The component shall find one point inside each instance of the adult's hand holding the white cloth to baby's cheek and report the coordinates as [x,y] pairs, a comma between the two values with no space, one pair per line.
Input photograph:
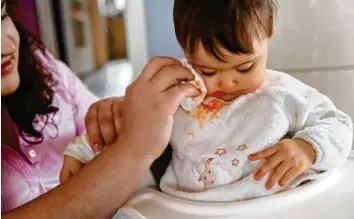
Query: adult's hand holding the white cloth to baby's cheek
[150,103]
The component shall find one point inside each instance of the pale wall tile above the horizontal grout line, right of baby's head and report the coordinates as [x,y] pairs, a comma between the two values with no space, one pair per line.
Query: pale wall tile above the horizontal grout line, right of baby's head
[313,33]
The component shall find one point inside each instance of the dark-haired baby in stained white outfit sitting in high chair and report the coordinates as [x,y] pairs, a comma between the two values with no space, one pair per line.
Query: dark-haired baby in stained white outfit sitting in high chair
[253,132]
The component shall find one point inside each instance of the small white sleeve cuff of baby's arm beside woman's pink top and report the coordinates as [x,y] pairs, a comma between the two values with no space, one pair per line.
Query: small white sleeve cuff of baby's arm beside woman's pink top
[80,149]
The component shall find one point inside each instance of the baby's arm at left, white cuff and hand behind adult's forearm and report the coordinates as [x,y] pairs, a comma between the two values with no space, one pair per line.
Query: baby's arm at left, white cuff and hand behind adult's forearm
[77,153]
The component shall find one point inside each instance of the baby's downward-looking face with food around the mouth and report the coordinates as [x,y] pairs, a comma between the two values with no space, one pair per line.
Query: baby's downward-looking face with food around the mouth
[240,74]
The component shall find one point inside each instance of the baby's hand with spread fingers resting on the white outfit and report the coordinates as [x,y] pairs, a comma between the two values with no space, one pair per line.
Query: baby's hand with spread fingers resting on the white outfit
[286,160]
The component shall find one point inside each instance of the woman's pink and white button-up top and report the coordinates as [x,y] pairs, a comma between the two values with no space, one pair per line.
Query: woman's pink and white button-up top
[29,175]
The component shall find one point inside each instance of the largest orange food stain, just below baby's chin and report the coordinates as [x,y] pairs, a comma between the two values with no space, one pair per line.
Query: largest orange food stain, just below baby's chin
[208,111]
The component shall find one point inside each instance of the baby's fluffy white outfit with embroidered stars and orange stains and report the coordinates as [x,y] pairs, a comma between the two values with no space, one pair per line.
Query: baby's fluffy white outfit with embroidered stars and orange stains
[212,139]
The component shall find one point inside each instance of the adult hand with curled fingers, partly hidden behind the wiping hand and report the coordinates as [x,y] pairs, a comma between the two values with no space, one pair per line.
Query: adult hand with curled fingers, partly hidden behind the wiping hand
[102,122]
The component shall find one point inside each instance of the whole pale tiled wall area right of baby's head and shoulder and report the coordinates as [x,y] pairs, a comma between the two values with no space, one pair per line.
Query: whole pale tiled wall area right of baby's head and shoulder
[314,42]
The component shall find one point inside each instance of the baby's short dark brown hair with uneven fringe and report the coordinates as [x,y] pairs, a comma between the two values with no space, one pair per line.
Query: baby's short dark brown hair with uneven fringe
[228,24]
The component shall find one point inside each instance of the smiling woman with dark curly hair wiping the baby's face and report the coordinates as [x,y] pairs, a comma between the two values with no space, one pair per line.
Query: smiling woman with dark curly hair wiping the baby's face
[43,108]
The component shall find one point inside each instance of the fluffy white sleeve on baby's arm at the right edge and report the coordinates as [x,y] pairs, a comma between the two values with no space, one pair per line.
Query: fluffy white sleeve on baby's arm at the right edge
[317,121]
